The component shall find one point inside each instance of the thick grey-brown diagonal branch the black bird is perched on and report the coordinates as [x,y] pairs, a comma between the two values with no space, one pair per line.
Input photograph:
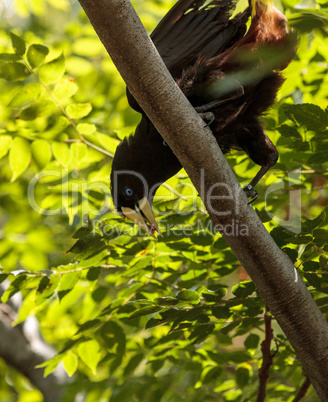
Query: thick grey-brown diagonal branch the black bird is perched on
[136,58]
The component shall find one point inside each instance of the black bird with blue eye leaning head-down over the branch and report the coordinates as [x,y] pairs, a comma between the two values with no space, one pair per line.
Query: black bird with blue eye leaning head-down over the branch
[228,75]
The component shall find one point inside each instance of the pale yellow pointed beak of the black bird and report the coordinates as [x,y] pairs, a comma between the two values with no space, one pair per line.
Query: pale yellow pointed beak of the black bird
[143,217]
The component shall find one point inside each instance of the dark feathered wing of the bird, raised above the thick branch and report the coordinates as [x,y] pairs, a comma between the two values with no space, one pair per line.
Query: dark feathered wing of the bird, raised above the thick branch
[191,29]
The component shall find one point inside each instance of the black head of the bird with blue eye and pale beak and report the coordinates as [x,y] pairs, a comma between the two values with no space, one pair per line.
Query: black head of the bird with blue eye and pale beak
[130,189]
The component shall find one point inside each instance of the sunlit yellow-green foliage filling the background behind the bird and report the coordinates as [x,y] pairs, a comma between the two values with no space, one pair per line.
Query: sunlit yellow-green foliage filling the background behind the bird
[133,318]
